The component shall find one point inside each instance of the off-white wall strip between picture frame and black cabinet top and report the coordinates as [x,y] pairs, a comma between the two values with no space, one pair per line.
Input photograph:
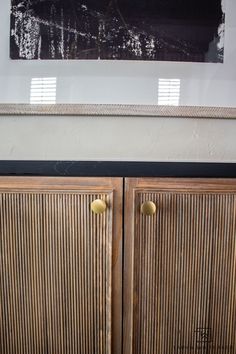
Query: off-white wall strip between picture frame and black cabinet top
[99,138]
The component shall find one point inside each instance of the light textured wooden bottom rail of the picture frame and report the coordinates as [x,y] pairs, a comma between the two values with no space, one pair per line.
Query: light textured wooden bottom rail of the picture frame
[117,110]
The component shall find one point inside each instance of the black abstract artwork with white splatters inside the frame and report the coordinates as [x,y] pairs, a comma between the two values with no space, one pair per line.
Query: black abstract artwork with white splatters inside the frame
[160,30]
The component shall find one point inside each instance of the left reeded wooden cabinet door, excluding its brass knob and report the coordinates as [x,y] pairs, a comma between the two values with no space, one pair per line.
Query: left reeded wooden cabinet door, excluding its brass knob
[60,266]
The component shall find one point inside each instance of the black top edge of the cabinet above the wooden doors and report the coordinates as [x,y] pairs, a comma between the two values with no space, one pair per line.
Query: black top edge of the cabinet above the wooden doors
[117,169]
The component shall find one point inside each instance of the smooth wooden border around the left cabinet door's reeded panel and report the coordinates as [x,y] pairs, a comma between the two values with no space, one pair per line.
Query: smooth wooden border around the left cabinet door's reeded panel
[87,185]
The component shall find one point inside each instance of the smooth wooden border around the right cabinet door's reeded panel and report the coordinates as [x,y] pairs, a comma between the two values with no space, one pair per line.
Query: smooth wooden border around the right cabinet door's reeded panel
[132,186]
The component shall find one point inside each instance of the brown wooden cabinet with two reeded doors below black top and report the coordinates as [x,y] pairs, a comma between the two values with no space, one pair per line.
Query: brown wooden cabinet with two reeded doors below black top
[62,271]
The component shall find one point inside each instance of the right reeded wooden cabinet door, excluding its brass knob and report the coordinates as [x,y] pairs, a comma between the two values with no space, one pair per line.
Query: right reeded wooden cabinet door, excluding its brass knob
[180,267]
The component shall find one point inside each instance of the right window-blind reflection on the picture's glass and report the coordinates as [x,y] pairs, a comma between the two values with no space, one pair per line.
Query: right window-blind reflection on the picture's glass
[168,92]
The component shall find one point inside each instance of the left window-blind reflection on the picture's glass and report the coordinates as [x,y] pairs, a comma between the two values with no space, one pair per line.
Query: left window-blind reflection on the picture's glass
[43,90]
